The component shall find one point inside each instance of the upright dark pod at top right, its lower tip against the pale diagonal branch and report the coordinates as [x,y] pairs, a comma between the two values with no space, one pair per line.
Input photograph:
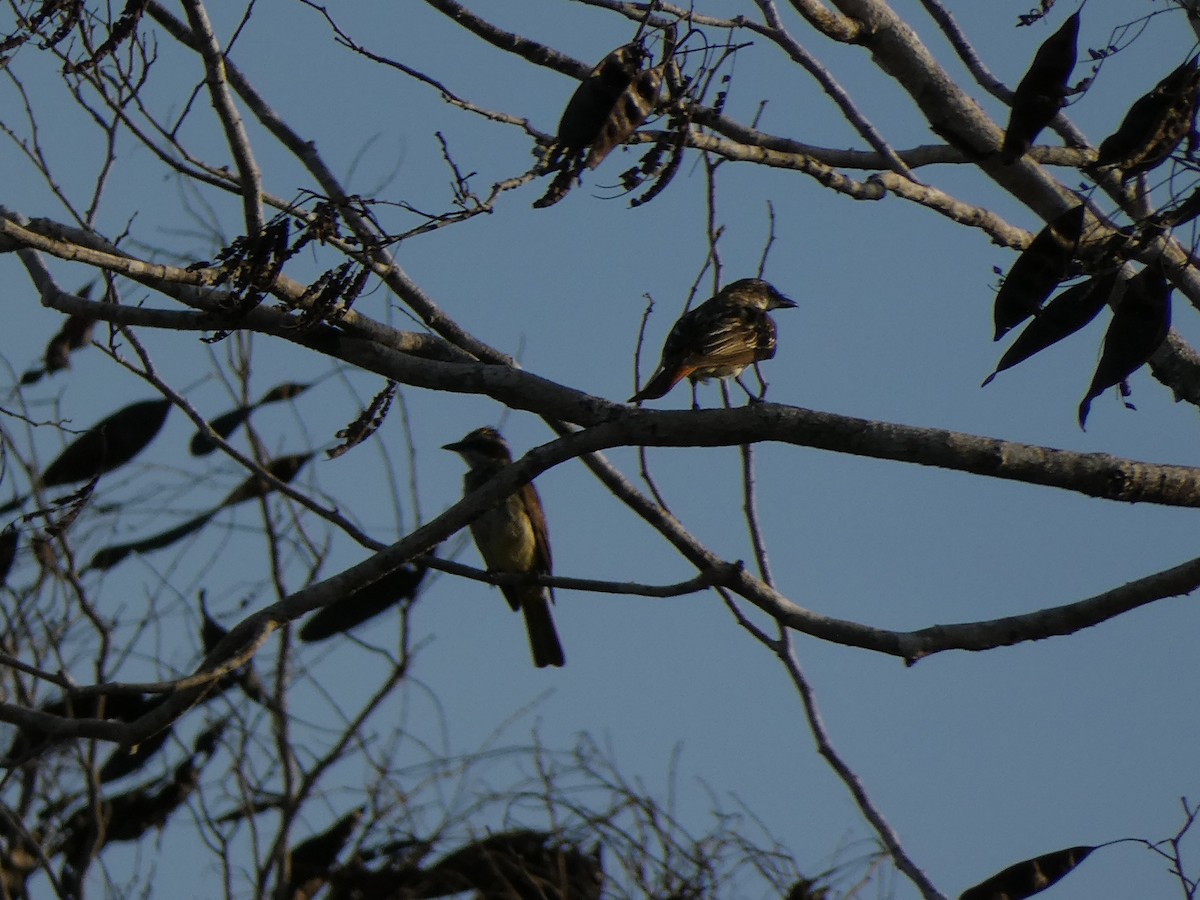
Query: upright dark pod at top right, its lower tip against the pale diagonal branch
[1043,92]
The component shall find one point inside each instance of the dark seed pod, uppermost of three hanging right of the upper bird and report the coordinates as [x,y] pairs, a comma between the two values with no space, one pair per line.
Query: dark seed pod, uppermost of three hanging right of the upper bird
[1039,271]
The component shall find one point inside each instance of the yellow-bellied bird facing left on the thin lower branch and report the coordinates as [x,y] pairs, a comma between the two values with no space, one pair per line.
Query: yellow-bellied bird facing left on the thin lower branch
[512,537]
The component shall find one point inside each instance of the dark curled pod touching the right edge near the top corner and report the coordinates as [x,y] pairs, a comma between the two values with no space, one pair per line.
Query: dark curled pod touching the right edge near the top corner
[1156,124]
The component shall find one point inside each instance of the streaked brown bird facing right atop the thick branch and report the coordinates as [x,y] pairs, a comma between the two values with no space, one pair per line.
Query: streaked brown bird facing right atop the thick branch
[719,339]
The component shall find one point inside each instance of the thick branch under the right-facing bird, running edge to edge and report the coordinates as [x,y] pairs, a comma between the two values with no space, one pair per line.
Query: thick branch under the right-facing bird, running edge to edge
[1094,475]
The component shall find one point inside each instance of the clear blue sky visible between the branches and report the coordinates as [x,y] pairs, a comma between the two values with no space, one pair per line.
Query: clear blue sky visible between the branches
[977,760]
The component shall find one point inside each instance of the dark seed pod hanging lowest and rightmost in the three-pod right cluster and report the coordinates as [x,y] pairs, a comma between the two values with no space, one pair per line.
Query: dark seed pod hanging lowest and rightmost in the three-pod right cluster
[1139,328]
